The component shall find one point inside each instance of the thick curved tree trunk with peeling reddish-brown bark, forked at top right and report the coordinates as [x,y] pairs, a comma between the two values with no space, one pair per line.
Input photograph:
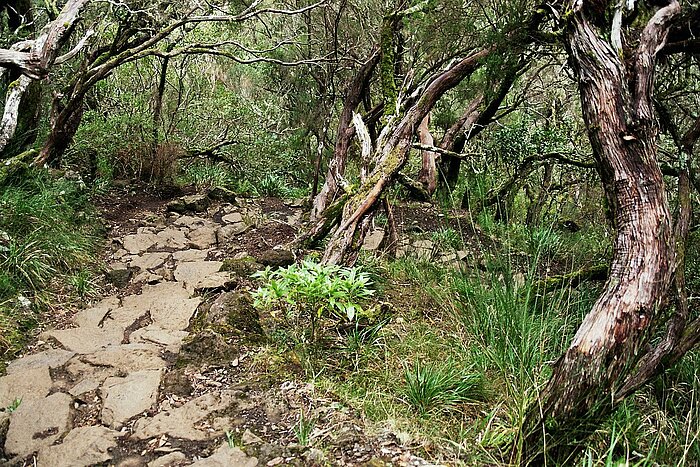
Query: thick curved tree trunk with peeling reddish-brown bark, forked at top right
[622,126]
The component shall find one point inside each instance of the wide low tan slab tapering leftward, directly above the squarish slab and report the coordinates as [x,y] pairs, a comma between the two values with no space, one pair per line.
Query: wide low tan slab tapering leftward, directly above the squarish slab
[127,357]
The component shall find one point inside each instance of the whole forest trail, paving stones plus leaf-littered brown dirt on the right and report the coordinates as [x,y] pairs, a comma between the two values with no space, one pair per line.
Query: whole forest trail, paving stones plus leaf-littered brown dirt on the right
[170,368]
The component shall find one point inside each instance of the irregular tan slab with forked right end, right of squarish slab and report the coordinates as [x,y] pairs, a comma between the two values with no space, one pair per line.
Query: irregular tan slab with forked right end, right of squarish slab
[180,422]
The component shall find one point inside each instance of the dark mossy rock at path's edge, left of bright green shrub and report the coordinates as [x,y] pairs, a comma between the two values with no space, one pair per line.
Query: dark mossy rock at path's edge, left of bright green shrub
[235,311]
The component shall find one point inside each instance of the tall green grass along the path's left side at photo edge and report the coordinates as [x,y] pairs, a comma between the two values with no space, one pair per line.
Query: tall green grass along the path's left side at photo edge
[47,238]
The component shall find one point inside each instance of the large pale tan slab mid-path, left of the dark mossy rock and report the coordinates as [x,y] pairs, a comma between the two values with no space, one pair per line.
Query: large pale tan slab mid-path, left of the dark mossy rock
[168,303]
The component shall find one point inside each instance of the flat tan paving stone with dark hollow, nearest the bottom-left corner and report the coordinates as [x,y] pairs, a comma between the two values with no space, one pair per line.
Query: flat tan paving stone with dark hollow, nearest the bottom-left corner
[38,423]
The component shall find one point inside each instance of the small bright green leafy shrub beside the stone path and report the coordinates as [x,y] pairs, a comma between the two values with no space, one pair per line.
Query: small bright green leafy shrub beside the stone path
[311,291]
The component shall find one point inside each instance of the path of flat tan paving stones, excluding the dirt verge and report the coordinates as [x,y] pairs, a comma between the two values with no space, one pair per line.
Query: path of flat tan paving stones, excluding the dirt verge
[112,361]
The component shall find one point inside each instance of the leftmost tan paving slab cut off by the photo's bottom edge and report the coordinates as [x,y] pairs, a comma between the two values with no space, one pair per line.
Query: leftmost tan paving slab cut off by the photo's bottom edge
[83,446]
